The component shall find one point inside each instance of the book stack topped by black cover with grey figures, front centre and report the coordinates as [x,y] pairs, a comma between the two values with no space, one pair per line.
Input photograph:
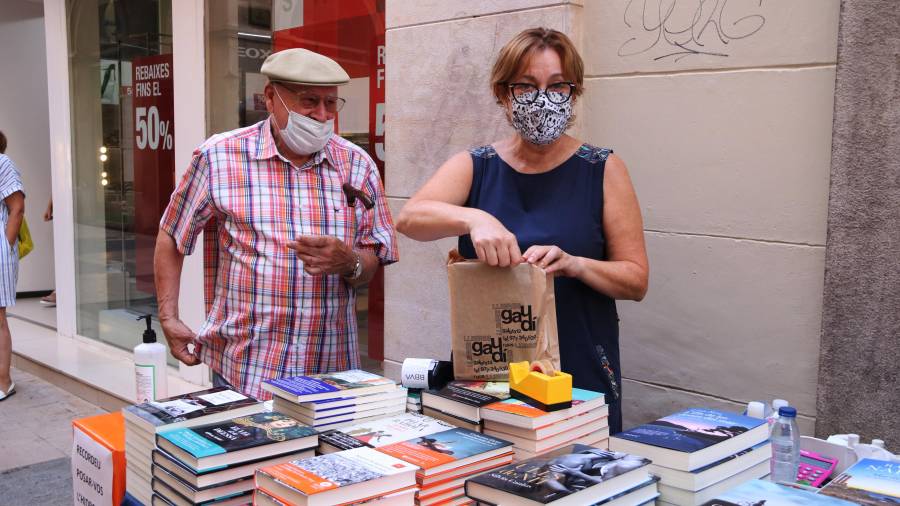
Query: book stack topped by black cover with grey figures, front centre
[572,476]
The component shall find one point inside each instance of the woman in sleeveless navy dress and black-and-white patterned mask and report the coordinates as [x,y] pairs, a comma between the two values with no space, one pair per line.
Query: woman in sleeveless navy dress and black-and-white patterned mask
[543,197]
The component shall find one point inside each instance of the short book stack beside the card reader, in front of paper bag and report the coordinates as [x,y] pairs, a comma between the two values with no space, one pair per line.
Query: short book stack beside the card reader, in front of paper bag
[460,402]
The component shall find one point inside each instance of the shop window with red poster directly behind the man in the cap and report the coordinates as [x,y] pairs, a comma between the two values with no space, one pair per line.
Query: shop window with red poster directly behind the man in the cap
[242,33]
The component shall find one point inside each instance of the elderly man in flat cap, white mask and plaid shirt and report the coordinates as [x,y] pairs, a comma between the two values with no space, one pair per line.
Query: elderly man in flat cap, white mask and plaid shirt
[295,220]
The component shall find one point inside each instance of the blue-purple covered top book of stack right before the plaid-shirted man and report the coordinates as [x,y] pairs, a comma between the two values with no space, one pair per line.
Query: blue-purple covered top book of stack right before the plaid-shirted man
[335,385]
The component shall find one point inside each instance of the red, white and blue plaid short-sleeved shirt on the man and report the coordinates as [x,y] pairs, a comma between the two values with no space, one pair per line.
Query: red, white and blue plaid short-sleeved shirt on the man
[266,317]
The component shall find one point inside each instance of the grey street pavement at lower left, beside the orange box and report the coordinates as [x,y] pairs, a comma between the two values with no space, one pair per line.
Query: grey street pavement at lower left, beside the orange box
[36,442]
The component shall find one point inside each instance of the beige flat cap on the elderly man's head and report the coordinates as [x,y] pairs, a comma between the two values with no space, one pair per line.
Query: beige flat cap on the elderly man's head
[303,66]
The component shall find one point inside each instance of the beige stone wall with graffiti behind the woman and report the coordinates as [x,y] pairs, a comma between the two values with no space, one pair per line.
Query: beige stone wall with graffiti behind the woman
[724,118]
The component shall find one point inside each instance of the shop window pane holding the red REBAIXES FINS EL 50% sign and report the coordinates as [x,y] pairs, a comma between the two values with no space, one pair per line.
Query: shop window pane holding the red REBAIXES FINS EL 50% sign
[123,159]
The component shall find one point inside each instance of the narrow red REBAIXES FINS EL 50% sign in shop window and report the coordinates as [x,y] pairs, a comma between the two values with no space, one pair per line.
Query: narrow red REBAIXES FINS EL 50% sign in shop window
[154,156]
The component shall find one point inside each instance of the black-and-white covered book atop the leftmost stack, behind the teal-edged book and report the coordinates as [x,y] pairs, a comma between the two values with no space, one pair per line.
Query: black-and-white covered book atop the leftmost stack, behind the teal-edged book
[205,406]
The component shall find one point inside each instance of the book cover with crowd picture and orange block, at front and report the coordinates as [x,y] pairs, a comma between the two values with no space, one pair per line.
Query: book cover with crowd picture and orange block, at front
[335,470]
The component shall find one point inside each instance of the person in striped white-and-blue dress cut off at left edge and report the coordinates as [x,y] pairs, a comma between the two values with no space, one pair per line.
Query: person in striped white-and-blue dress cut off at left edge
[12,209]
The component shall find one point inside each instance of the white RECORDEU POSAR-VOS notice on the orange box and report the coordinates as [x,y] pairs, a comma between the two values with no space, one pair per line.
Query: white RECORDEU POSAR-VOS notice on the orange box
[92,470]
